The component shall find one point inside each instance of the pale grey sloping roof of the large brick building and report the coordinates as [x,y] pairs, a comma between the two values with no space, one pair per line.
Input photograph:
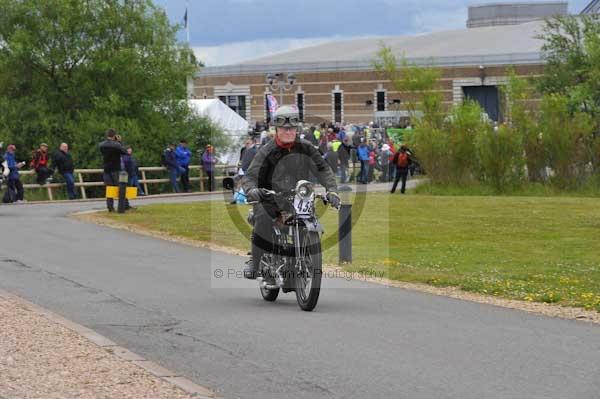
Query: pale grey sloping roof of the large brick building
[497,45]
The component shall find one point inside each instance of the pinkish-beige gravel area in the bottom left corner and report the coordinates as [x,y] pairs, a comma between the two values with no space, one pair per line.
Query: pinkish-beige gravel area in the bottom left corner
[42,359]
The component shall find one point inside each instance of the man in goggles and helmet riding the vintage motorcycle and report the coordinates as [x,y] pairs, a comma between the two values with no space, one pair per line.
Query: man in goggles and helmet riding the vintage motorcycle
[278,166]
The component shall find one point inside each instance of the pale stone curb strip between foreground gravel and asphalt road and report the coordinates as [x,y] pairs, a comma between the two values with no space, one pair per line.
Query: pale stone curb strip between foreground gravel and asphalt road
[171,377]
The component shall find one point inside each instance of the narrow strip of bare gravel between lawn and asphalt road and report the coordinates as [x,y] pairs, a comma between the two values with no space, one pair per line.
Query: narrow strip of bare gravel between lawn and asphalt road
[550,310]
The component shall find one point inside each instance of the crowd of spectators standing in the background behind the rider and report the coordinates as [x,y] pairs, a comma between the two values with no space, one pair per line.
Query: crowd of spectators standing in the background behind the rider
[360,154]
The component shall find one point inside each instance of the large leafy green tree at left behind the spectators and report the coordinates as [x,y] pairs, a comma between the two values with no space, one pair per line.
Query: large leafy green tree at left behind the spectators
[69,69]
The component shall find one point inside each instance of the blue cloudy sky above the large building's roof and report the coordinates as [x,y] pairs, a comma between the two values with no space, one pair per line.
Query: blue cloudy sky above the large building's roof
[229,31]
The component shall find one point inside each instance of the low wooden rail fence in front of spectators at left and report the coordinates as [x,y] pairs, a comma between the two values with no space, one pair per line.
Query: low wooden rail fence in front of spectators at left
[82,183]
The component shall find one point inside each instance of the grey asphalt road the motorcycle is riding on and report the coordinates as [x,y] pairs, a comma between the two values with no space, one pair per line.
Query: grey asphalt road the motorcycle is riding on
[363,341]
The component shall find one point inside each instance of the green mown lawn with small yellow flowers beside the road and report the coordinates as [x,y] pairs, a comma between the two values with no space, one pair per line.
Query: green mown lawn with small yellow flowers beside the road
[528,248]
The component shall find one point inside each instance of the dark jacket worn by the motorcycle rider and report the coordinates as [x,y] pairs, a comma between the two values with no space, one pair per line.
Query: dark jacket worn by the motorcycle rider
[279,169]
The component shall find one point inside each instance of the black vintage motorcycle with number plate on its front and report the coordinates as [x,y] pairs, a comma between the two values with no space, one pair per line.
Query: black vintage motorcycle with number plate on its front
[296,262]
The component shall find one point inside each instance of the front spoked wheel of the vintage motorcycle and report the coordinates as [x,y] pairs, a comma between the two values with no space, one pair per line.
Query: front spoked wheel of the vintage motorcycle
[308,279]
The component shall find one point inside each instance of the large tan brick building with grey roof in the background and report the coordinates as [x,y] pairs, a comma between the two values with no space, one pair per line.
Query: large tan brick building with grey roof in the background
[337,81]
